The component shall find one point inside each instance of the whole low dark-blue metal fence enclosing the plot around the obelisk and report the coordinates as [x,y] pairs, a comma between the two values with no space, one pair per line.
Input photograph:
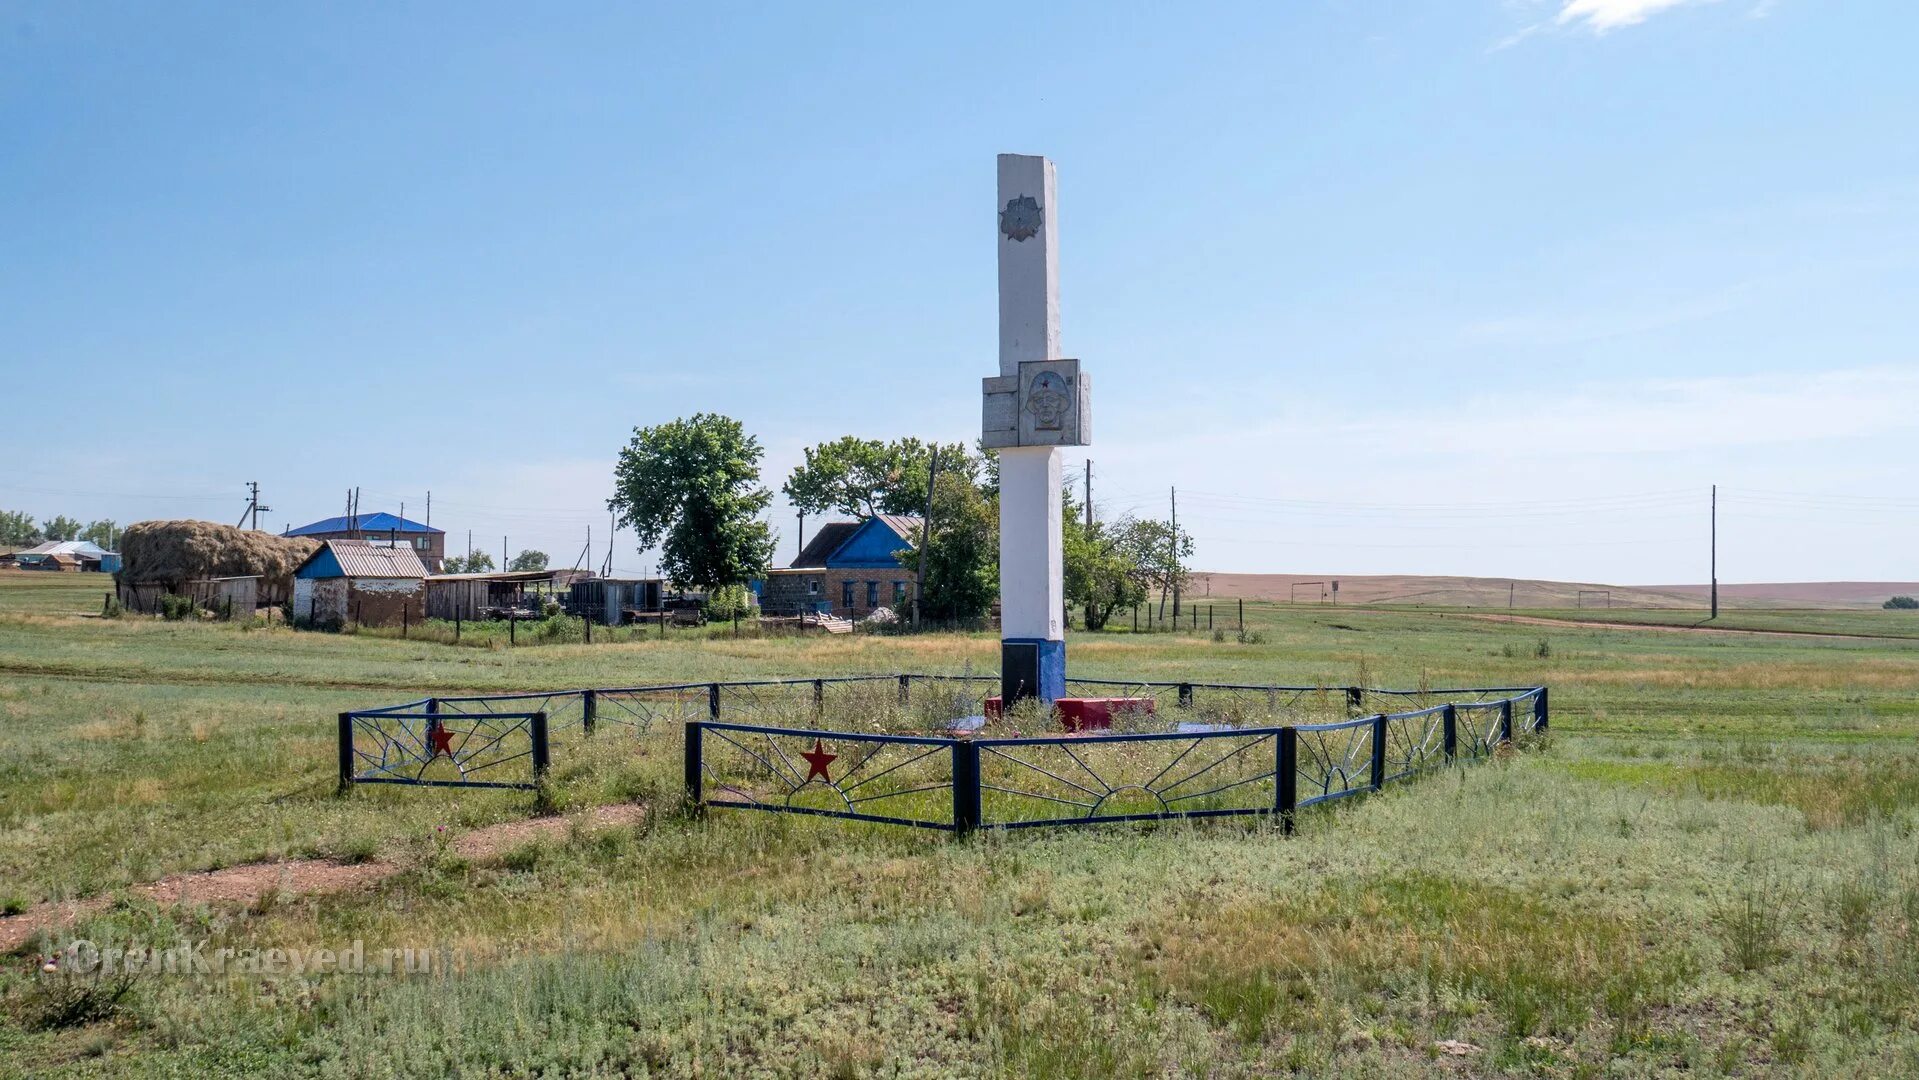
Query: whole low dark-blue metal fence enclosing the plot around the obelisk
[1177,749]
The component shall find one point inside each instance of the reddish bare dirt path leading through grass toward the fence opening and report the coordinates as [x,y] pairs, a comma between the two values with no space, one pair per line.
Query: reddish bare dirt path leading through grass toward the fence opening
[296,878]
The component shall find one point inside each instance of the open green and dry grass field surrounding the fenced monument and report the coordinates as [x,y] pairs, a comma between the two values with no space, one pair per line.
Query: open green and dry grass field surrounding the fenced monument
[1711,868]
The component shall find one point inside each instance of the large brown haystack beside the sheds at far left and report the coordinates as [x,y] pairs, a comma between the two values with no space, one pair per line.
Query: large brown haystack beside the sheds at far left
[176,553]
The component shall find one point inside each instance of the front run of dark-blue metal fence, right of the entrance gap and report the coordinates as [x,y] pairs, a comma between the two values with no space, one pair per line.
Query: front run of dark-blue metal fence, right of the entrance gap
[1200,770]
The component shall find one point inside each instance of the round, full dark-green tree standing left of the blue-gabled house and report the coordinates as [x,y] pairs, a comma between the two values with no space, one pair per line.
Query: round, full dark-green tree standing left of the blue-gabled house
[694,490]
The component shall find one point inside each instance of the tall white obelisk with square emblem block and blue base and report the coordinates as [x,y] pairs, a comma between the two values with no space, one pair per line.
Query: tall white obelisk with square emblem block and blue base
[1035,406]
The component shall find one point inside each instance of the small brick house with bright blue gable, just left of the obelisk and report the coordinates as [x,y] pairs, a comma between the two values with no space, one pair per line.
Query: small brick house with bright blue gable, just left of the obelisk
[847,569]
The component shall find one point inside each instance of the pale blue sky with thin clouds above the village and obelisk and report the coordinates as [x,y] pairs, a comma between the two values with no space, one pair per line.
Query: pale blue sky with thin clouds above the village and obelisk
[1436,287]
